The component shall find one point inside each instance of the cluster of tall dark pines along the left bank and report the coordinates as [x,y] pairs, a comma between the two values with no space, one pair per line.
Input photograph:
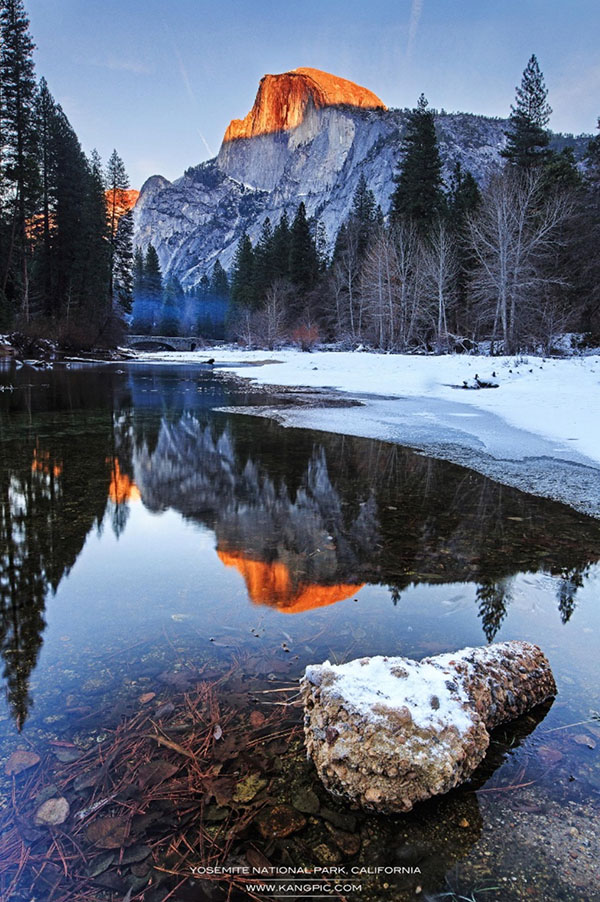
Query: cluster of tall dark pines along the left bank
[58,257]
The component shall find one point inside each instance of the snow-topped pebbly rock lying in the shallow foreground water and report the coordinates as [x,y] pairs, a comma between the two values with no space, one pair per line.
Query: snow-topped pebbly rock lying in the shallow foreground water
[388,732]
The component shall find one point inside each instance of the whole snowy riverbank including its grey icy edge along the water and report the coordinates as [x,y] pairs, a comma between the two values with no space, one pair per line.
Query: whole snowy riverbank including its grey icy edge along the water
[539,430]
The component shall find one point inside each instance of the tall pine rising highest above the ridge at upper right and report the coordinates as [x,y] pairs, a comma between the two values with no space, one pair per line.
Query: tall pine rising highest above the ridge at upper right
[527,136]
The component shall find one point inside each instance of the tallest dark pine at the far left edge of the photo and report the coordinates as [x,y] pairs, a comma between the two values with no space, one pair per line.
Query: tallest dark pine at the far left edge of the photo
[19,149]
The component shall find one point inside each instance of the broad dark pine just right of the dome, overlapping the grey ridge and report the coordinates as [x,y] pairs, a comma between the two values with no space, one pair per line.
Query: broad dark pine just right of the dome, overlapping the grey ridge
[419,195]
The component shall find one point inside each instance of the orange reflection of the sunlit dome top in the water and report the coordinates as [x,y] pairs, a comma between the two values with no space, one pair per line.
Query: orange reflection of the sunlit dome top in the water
[272,584]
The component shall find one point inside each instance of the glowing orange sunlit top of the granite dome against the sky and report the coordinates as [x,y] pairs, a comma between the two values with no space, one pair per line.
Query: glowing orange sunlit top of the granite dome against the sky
[282,100]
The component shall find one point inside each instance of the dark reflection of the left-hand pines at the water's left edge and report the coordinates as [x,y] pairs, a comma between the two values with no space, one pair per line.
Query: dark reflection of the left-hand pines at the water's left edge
[54,489]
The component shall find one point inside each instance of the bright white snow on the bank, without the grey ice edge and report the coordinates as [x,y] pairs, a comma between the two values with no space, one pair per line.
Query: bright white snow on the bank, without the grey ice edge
[555,398]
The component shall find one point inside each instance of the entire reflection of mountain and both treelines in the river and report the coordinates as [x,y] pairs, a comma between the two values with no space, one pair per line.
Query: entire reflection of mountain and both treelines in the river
[306,518]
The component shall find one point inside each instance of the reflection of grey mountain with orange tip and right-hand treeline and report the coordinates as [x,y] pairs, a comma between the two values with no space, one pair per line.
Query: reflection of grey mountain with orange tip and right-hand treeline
[383,515]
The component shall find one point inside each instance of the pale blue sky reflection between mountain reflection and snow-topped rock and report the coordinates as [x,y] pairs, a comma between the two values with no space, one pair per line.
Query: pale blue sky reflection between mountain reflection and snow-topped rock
[164,575]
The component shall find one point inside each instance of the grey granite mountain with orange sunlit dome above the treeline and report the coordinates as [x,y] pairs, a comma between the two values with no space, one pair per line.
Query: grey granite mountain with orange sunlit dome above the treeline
[308,137]
